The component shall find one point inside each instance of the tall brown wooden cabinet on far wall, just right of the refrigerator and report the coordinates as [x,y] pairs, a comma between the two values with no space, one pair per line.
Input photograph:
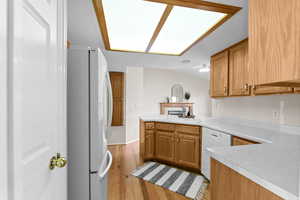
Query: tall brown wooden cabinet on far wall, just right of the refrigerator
[117,84]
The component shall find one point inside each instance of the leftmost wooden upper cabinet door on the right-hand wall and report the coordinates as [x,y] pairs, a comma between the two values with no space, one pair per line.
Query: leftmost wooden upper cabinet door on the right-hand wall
[219,75]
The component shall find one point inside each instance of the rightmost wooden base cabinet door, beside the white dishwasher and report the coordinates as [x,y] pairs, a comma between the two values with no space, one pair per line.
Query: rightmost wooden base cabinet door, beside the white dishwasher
[187,151]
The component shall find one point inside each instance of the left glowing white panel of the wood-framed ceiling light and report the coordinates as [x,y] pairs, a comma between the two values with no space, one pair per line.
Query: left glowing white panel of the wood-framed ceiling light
[131,23]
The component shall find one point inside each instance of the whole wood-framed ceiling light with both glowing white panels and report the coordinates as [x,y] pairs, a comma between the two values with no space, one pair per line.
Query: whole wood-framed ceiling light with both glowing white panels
[158,26]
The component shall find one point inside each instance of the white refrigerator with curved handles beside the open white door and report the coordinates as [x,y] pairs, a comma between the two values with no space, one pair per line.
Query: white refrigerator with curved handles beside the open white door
[89,119]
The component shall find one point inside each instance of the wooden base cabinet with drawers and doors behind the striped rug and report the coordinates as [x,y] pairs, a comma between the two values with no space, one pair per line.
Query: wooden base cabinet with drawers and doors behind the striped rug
[173,143]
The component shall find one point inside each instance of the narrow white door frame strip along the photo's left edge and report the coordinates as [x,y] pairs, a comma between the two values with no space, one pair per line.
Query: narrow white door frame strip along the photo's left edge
[3,99]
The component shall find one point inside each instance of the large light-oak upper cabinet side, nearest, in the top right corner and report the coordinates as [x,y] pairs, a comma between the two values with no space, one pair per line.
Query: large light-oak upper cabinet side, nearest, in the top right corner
[274,38]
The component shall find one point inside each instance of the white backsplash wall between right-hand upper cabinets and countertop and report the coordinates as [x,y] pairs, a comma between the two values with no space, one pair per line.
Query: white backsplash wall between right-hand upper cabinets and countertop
[281,109]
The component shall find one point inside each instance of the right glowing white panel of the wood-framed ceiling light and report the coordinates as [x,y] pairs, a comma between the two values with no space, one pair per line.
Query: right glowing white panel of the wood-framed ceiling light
[183,27]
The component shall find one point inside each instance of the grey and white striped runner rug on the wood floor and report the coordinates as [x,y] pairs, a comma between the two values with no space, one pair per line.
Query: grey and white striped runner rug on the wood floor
[182,182]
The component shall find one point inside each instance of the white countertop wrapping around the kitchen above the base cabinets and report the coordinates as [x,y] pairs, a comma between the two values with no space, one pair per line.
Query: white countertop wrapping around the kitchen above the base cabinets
[274,164]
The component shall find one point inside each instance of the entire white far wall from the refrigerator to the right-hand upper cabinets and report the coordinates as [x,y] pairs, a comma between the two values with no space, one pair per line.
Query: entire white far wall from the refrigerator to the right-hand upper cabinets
[146,88]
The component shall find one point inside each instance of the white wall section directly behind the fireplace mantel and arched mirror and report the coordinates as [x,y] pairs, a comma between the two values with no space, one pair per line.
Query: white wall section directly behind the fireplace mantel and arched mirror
[158,84]
